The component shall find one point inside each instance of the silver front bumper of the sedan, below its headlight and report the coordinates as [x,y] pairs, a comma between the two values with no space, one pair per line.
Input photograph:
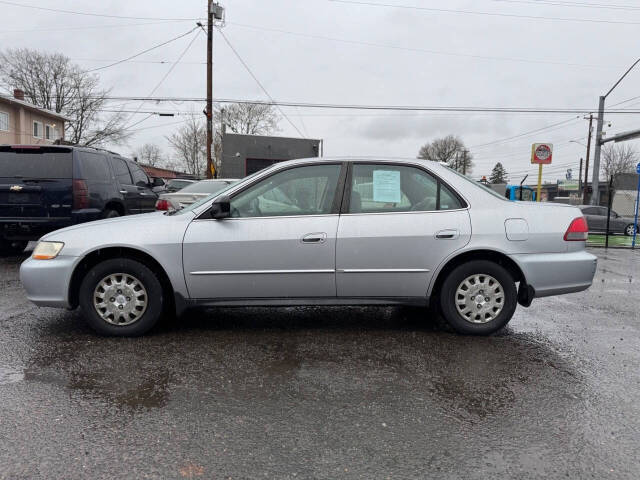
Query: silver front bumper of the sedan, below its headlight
[47,281]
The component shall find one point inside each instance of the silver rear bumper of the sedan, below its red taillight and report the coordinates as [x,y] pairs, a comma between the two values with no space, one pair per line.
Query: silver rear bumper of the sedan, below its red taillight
[557,273]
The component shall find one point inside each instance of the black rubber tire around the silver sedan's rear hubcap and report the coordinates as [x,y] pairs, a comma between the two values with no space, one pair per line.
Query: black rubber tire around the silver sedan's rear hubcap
[447,300]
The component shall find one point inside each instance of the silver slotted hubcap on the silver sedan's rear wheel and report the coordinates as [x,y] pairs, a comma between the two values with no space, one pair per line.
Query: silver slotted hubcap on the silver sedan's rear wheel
[479,298]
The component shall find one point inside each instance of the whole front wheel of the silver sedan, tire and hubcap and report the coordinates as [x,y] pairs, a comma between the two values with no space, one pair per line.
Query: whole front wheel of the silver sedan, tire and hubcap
[121,297]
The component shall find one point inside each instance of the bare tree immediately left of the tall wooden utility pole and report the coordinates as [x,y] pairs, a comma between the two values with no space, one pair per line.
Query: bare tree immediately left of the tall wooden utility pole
[190,145]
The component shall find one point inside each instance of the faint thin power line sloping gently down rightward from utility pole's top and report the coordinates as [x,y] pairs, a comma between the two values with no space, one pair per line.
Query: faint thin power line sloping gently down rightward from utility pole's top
[416,49]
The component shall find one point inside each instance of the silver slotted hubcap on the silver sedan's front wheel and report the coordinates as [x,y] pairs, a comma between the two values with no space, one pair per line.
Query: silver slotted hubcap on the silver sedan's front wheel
[120,299]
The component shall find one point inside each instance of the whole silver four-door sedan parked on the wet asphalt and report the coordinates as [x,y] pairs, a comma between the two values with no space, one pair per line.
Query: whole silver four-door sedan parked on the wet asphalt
[414,233]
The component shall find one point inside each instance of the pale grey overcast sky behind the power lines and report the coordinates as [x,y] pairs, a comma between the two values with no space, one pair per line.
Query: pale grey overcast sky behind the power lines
[323,51]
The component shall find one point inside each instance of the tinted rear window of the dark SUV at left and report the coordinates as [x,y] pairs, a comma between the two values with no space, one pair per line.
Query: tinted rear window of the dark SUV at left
[36,163]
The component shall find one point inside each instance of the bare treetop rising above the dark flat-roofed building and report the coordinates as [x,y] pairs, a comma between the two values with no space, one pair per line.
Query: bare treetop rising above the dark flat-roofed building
[248,118]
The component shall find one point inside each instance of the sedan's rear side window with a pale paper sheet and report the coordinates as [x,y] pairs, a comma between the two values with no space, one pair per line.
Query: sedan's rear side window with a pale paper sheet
[391,188]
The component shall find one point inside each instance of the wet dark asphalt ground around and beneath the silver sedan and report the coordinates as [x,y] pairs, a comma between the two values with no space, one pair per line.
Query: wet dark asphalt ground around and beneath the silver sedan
[329,393]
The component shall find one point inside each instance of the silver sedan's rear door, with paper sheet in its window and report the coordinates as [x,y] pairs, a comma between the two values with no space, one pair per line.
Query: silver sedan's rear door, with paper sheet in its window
[397,226]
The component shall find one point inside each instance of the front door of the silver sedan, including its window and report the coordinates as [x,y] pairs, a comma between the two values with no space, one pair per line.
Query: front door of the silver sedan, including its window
[279,242]
